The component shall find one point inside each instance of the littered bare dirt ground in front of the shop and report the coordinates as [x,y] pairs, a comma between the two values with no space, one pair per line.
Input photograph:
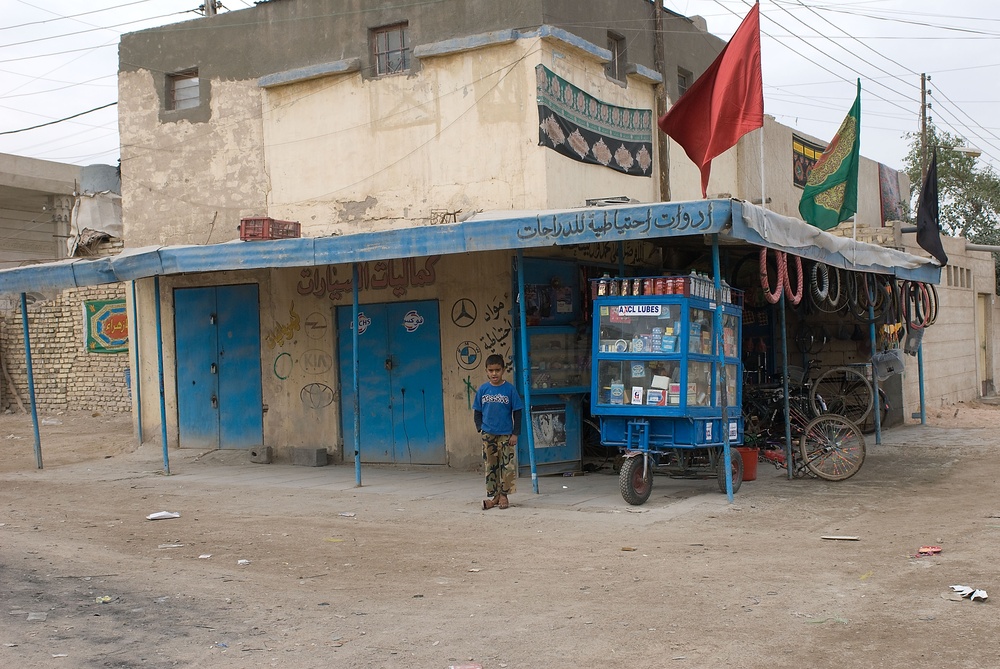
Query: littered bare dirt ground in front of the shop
[414,580]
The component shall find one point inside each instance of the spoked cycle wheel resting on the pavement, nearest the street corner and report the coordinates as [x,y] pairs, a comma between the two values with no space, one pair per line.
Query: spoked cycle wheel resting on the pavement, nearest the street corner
[832,448]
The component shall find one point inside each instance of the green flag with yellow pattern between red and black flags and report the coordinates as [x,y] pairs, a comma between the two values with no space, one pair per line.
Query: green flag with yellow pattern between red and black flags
[831,192]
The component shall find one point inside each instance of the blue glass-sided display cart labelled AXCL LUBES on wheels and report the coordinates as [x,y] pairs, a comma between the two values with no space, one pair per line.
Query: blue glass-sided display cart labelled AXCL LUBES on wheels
[660,382]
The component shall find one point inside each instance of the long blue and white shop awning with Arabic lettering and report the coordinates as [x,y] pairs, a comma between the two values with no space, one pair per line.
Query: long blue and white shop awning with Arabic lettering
[488,231]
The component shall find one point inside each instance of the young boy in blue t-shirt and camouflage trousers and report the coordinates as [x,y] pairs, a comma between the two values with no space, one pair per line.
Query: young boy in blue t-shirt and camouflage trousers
[498,419]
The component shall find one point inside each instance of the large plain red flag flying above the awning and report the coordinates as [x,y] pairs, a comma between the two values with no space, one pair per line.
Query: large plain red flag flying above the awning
[725,103]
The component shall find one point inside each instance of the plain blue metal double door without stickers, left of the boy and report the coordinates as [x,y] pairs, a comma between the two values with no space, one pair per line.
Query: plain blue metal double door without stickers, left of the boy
[219,397]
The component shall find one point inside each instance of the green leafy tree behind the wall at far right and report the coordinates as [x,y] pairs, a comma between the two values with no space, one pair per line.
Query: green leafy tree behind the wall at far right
[968,190]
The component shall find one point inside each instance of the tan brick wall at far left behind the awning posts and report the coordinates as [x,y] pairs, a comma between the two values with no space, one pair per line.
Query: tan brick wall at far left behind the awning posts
[66,375]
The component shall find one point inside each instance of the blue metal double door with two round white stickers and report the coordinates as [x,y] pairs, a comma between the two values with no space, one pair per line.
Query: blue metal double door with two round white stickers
[402,408]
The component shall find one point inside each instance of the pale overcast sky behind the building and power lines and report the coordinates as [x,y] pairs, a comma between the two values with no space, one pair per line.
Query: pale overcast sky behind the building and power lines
[59,58]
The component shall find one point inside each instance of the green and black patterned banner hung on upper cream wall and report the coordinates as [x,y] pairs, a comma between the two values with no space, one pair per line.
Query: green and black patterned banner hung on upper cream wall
[581,127]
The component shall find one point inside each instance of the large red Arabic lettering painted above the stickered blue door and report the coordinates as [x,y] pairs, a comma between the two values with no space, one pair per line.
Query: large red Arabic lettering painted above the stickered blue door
[398,275]
